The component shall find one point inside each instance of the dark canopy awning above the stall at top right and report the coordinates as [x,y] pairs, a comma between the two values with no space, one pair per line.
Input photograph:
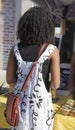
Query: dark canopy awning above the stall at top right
[60,8]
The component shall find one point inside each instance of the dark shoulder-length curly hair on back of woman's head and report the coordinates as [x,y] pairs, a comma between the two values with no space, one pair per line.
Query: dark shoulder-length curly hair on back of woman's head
[36,26]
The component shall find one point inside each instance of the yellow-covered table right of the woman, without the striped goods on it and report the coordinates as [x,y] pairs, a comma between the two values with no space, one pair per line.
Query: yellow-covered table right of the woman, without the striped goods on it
[62,122]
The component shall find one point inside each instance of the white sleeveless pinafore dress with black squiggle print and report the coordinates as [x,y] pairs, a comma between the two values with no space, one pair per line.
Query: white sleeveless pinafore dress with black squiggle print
[35,107]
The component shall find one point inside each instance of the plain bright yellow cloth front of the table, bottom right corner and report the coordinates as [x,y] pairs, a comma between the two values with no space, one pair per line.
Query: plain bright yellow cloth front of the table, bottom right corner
[64,122]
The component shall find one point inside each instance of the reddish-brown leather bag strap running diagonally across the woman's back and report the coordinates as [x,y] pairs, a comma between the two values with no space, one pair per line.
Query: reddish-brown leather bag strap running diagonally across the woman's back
[33,67]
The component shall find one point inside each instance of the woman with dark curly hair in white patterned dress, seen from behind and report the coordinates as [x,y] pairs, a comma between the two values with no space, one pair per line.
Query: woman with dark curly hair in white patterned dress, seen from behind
[35,28]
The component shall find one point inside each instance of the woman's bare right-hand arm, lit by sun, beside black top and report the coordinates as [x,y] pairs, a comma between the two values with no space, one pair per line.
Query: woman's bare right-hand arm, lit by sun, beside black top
[55,69]
